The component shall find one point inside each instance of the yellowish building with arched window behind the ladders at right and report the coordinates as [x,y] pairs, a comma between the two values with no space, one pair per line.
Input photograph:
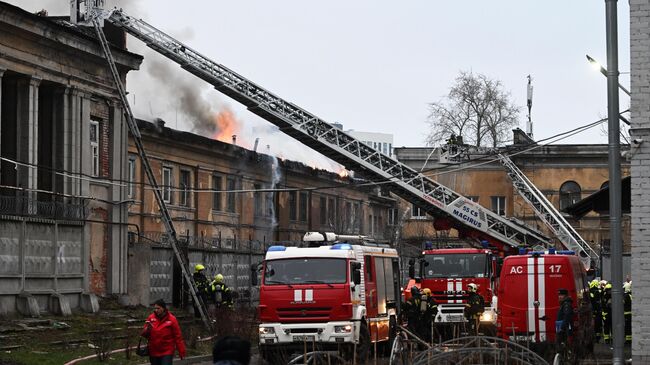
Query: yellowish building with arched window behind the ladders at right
[563,173]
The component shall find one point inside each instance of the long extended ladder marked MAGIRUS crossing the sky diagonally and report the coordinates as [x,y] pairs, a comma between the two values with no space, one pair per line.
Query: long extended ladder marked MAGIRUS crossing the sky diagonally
[434,198]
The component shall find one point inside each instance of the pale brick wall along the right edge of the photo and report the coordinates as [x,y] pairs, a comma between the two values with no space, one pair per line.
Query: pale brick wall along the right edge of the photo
[640,110]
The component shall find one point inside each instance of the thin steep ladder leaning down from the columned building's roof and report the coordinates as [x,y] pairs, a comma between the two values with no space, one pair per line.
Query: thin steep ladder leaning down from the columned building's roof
[135,132]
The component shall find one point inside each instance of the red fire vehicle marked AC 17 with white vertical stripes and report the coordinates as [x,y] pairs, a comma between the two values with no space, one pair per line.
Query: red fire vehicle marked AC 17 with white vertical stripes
[528,299]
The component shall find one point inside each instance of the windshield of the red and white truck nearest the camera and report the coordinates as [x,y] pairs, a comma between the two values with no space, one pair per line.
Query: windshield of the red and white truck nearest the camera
[305,271]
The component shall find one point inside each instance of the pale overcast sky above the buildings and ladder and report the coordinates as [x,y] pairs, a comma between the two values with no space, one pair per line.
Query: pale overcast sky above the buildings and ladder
[374,65]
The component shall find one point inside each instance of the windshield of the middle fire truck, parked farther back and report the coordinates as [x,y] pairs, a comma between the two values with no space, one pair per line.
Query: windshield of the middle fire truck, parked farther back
[455,266]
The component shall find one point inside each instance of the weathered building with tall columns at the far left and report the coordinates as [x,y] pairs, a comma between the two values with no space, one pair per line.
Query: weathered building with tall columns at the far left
[63,145]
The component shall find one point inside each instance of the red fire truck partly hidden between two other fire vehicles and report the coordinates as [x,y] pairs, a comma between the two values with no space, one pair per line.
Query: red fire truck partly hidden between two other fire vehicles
[447,272]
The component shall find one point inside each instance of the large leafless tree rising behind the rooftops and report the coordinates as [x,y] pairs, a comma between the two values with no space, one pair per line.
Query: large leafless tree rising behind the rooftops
[476,108]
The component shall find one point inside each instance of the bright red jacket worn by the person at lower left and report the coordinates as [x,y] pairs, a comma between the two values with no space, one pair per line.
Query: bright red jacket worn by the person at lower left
[164,335]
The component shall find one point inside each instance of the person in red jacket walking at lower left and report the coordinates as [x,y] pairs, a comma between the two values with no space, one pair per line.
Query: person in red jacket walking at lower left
[164,335]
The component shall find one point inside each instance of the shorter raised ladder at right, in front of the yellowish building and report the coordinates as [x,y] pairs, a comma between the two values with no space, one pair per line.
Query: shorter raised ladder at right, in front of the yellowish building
[545,210]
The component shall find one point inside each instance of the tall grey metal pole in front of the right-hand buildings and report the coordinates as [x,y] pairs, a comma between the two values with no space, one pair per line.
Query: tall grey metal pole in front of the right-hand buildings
[616,245]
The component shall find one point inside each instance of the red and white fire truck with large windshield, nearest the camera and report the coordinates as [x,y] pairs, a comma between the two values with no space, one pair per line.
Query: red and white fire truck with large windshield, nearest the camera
[338,296]
